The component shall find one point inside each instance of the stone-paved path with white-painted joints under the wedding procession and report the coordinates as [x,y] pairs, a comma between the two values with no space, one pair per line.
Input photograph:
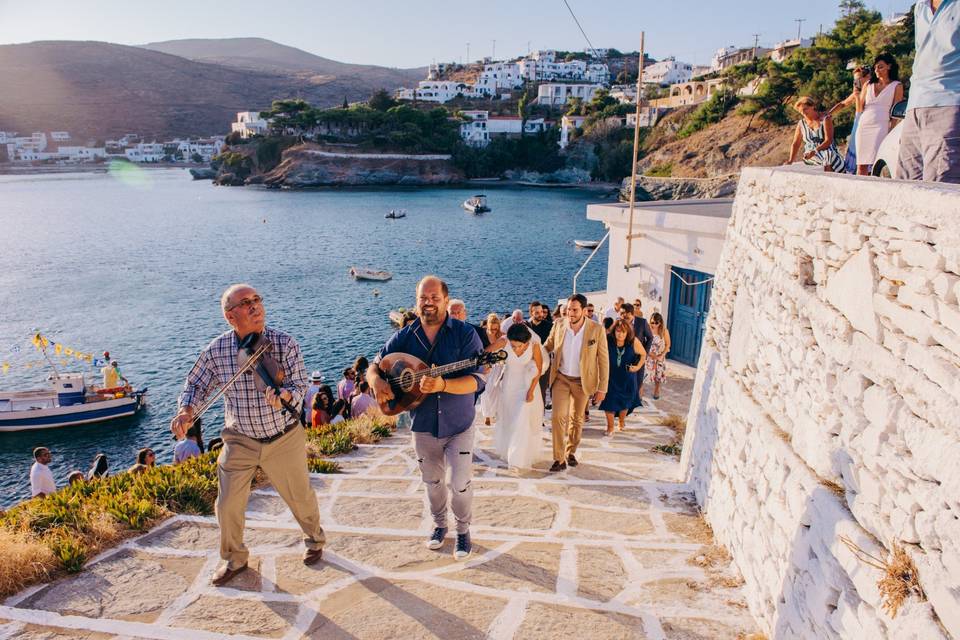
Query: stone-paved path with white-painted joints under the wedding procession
[611,549]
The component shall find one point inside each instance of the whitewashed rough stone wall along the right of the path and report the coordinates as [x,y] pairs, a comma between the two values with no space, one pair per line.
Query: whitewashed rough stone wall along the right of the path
[832,355]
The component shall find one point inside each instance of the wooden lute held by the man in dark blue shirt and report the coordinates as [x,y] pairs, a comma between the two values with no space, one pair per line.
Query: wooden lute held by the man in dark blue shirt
[403,373]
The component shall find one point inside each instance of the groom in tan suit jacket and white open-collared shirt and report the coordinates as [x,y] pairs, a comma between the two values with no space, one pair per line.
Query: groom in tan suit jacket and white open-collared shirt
[580,369]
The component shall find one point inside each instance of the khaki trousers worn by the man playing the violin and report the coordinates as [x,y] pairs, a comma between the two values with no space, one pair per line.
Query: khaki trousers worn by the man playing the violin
[284,461]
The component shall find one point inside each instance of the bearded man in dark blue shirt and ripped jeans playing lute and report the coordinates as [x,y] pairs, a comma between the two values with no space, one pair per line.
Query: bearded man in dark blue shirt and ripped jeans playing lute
[443,424]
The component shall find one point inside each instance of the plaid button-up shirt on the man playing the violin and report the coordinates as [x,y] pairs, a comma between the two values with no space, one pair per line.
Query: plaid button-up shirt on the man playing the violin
[246,408]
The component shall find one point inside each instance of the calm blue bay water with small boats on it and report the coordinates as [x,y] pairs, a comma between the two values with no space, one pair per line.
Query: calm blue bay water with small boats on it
[134,262]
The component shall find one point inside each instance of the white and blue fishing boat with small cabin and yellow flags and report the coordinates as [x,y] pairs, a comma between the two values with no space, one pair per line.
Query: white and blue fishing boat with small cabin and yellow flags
[67,403]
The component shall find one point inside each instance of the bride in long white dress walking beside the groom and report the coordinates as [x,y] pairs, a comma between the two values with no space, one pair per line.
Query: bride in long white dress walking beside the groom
[517,435]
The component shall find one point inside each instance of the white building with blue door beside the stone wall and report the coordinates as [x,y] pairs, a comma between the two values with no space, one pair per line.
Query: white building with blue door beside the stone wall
[674,255]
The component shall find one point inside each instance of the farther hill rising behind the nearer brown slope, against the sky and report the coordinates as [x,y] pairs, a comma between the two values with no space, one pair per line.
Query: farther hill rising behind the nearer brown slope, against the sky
[259,54]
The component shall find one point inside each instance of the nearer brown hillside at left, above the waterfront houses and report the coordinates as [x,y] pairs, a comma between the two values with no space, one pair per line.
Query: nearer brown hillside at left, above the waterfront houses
[101,90]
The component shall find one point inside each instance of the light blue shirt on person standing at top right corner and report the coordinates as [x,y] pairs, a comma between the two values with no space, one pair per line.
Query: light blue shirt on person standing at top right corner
[936,66]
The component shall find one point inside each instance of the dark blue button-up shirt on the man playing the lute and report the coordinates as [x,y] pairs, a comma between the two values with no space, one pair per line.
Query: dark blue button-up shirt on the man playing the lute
[441,414]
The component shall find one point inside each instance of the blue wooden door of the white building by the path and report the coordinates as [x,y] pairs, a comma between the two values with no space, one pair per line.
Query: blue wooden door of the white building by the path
[687,314]
